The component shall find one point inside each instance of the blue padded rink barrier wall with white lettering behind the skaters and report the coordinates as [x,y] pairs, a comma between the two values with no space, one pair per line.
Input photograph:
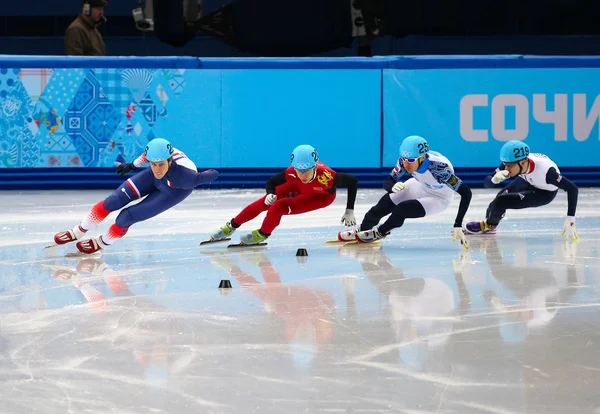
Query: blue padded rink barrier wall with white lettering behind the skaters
[244,115]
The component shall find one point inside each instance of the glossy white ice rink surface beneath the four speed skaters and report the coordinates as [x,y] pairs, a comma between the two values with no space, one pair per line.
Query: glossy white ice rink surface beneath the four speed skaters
[414,325]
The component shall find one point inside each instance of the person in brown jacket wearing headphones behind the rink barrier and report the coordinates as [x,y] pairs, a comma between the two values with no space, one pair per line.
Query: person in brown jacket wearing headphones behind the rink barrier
[82,37]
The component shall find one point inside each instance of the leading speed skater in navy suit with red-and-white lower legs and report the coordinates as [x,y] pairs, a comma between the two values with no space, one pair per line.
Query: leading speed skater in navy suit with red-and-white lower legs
[170,179]
